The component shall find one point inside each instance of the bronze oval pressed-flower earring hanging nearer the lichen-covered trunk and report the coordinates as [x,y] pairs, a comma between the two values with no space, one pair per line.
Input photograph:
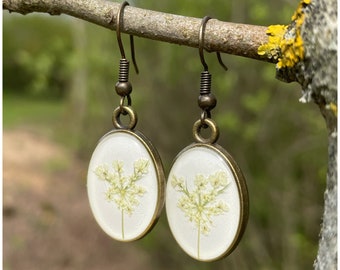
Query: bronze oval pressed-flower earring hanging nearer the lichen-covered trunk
[206,195]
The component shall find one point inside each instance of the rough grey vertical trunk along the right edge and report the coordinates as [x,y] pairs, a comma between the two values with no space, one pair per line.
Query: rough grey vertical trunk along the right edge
[318,77]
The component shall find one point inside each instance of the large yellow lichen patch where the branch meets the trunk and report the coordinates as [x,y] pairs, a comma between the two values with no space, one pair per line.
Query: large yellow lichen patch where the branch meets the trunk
[285,43]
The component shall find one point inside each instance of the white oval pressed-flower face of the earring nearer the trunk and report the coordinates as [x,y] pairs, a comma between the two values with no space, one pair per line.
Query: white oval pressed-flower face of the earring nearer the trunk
[203,203]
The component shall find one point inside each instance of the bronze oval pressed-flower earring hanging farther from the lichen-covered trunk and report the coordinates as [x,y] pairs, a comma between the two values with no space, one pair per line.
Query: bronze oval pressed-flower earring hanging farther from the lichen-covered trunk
[125,180]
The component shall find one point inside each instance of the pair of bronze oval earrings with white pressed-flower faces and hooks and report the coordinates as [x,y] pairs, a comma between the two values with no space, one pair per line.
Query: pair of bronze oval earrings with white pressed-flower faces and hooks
[206,196]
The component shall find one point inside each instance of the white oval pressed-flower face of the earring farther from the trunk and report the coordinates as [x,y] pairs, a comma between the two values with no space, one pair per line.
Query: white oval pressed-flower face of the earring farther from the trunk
[122,185]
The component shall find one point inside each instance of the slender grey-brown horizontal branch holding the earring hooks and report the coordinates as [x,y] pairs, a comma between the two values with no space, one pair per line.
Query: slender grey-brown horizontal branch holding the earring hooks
[231,38]
